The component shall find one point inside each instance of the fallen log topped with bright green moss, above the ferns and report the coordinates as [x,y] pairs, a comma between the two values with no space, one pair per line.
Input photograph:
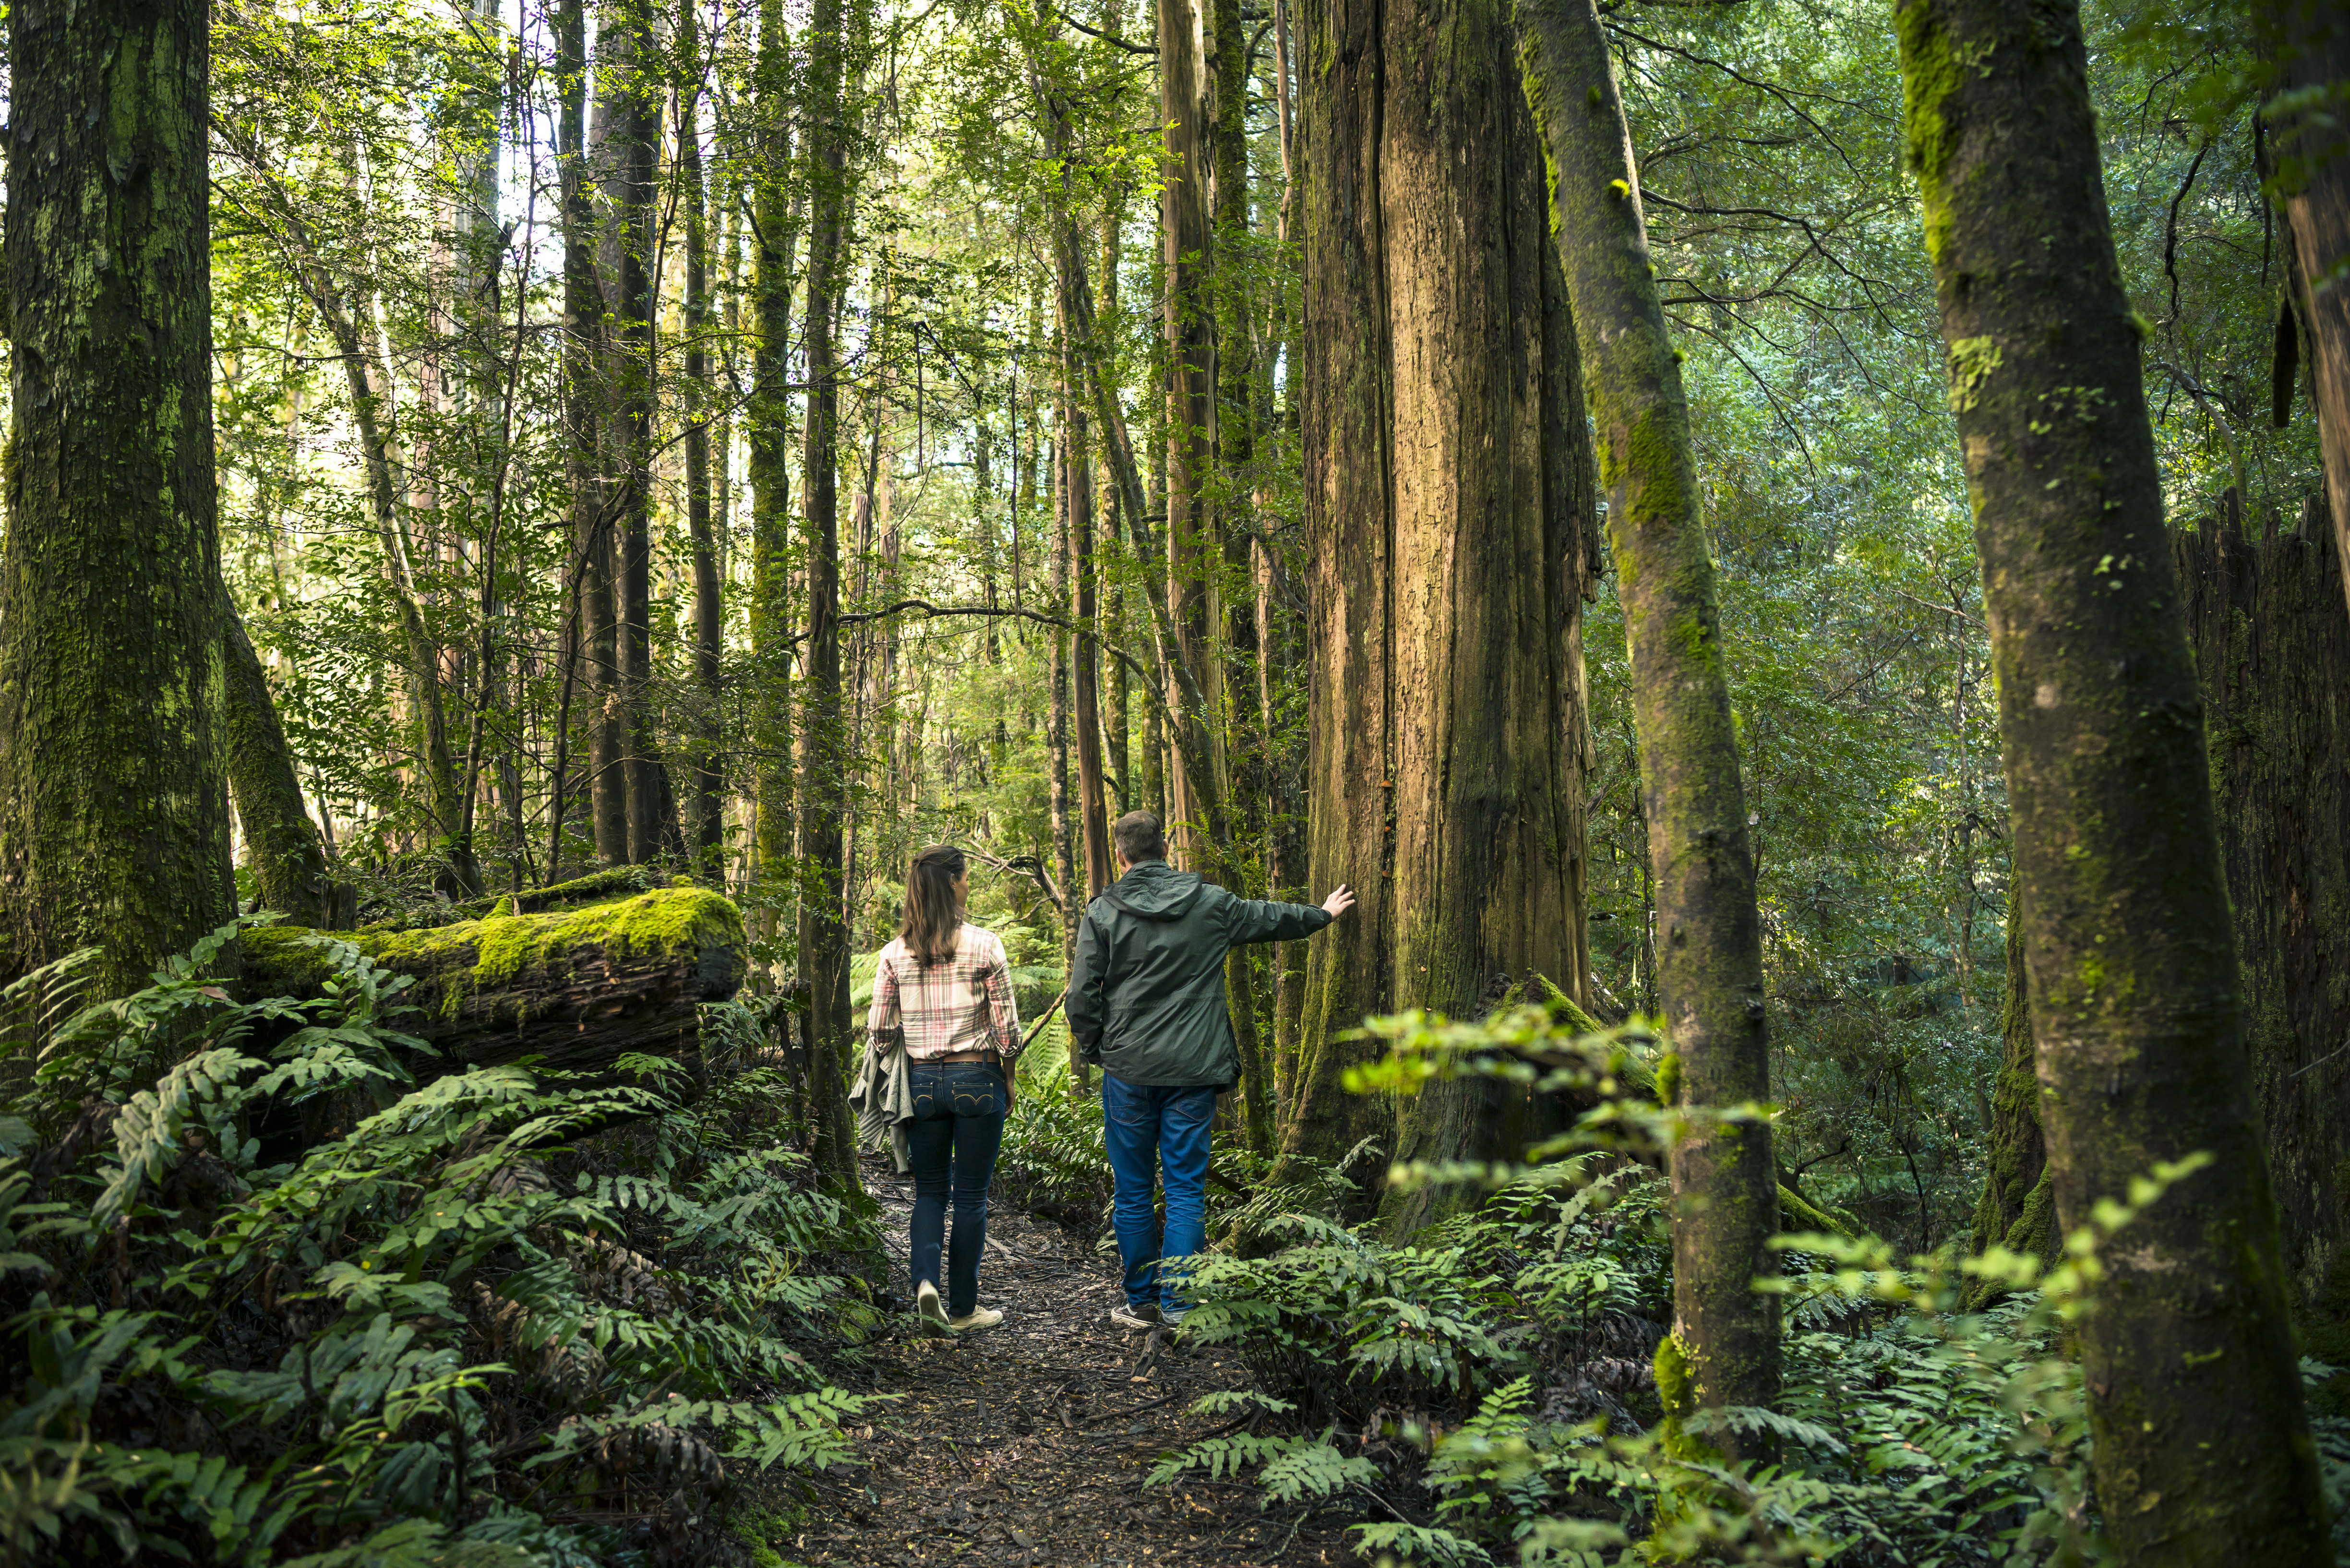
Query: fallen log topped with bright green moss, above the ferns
[577,989]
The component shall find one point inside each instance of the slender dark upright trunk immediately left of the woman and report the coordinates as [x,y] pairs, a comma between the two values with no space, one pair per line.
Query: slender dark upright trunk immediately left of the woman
[824,782]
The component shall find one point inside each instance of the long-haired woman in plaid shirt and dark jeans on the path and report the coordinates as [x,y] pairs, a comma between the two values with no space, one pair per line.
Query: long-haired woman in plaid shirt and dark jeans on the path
[948,986]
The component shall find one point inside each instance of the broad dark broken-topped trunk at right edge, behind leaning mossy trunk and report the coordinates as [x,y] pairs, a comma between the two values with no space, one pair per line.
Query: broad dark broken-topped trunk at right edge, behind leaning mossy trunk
[2271,641]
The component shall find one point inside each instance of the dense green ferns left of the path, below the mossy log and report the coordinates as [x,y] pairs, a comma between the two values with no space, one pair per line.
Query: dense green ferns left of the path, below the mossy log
[286,1304]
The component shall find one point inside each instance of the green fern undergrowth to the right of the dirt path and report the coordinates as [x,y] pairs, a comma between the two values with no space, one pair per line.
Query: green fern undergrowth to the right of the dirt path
[1508,1386]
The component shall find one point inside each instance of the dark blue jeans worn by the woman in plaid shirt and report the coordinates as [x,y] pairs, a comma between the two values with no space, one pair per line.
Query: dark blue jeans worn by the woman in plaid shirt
[953,1148]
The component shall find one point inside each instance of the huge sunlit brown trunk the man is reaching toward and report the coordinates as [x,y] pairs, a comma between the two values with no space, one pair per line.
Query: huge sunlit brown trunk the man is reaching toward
[1446,570]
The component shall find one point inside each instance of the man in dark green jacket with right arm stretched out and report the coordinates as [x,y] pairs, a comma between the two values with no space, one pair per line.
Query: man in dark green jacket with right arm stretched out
[1148,1007]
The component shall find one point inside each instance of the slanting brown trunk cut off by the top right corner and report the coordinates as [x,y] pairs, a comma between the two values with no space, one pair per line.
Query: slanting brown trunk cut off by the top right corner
[2309,154]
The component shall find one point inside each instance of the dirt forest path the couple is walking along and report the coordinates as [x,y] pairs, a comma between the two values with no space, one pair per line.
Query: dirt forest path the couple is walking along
[1028,1445]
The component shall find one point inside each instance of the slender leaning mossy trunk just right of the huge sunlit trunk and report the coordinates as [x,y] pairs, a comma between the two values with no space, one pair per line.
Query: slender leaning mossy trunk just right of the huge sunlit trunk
[1710,953]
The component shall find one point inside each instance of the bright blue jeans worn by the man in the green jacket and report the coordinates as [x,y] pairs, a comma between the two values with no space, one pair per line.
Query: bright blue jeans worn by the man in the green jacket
[1157,1132]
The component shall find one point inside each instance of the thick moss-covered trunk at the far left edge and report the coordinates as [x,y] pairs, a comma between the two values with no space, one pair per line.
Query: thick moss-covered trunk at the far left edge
[114,805]
